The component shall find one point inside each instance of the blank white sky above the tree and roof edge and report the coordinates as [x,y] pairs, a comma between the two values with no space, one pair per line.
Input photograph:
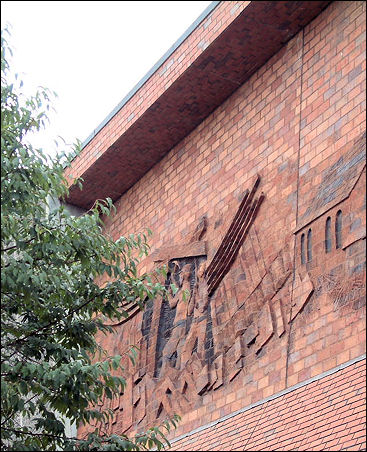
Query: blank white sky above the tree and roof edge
[90,53]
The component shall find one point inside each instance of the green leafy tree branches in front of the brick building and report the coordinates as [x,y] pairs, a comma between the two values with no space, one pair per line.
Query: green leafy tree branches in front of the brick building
[52,368]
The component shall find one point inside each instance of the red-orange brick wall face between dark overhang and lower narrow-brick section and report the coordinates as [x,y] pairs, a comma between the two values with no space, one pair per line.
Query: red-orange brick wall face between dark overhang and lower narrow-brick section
[291,123]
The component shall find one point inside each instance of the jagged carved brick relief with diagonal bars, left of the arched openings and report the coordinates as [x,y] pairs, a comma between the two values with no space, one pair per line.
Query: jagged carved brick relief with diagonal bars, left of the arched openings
[187,347]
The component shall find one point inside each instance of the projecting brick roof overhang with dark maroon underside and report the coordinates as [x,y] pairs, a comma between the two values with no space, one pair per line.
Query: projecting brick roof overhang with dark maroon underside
[219,52]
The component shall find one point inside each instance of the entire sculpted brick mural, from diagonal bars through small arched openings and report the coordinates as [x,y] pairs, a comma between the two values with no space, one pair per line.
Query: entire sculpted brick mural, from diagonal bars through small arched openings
[226,310]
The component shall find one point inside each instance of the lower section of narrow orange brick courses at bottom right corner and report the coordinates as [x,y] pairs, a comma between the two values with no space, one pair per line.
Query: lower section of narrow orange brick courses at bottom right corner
[326,414]
